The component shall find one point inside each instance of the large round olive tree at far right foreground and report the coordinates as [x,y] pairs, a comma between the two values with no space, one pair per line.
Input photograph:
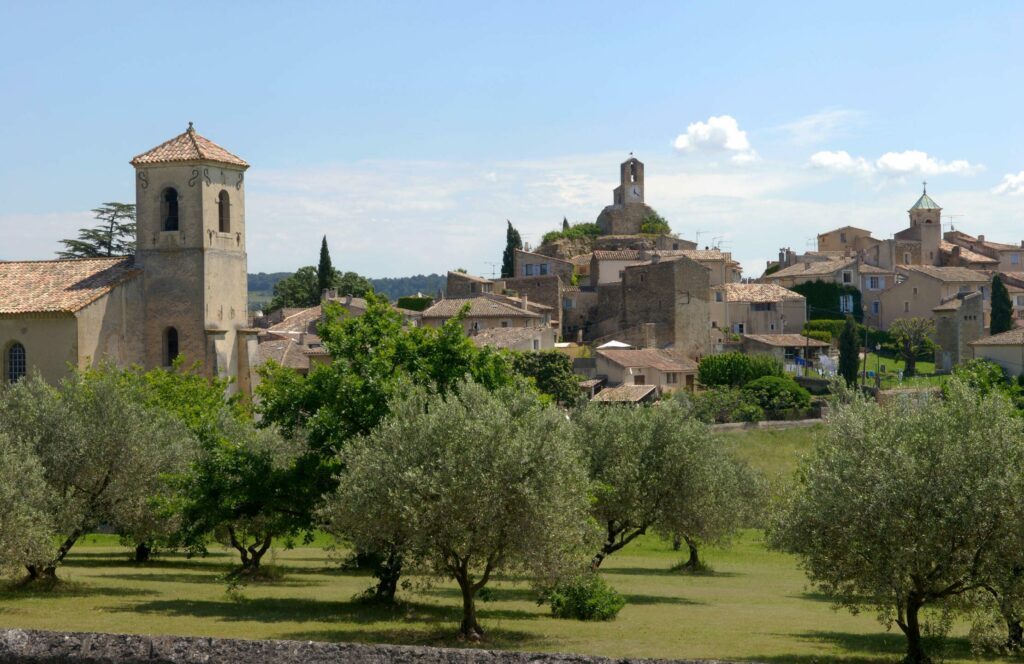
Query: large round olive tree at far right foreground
[909,505]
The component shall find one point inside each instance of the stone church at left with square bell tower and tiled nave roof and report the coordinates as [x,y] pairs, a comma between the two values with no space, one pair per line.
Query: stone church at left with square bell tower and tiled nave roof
[184,294]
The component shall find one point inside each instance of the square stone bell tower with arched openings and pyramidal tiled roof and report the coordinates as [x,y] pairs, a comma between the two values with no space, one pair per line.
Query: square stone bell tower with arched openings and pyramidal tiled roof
[191,245]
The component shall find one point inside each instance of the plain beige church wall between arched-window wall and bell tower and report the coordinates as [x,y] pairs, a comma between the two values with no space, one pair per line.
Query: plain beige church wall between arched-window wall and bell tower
[110,329]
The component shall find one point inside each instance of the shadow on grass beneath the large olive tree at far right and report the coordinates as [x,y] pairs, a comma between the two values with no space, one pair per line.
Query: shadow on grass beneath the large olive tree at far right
[887,648]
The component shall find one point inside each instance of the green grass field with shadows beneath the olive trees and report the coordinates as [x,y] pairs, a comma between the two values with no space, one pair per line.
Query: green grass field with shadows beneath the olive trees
[755,606]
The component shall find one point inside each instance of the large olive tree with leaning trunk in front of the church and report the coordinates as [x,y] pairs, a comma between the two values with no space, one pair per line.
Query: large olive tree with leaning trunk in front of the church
[104,453]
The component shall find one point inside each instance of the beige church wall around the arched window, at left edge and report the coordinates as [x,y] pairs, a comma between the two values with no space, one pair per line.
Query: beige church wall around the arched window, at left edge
[51,343]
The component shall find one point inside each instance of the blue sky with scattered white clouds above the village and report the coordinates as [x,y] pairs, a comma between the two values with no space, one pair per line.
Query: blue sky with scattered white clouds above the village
[408,134]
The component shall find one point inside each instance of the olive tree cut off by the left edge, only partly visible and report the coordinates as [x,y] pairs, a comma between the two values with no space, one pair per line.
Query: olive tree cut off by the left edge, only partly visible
[25,519]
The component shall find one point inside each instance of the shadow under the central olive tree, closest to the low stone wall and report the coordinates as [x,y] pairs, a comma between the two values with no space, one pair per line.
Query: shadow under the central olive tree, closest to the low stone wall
[437,637]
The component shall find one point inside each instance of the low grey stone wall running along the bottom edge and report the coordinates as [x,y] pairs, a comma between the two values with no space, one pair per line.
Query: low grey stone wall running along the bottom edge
[37,647]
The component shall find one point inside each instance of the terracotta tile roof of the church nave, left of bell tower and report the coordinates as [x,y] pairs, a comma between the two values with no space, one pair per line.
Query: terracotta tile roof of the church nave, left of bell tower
[37,286]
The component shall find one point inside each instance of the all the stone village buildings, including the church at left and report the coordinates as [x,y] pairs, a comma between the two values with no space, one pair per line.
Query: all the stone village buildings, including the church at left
[636,306]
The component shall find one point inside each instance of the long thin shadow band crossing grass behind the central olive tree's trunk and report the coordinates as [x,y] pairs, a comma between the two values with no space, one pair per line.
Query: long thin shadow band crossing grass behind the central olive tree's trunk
[271,610]
